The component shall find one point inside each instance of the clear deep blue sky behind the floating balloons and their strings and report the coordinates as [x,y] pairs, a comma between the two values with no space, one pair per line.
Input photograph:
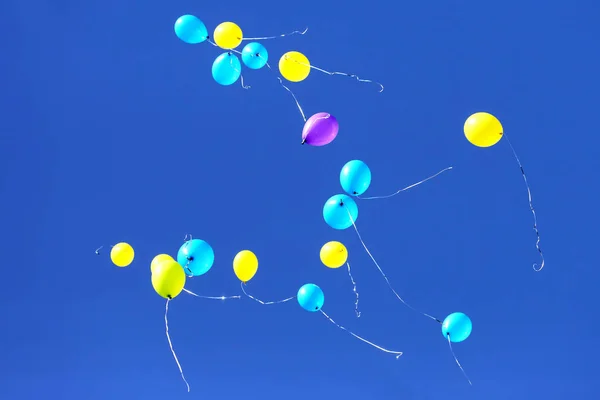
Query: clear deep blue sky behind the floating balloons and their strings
[114,130]
